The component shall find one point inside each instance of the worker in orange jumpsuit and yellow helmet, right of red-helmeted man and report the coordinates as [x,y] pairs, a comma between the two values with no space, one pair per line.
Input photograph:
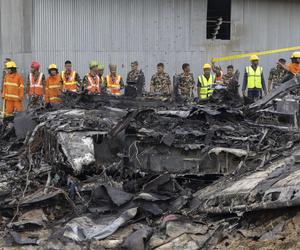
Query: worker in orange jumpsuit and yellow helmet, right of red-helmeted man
[53,86]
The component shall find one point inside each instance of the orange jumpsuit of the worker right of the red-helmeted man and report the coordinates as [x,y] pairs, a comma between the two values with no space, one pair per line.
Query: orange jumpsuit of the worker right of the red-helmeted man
[53,88]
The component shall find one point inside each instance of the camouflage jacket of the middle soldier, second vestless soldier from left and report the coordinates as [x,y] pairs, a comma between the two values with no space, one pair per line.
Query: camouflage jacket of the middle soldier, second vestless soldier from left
[160,83]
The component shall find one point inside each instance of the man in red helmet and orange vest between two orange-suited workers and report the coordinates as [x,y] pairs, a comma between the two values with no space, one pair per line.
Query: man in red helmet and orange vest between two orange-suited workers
[35,86]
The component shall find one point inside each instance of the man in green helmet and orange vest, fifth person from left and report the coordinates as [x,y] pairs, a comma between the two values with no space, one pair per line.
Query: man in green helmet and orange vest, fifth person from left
[92,81]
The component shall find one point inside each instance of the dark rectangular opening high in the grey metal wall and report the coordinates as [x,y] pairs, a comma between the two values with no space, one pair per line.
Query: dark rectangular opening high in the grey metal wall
[218,19]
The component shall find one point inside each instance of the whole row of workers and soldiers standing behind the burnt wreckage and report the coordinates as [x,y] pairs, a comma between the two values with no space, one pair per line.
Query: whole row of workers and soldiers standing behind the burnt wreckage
[44,90]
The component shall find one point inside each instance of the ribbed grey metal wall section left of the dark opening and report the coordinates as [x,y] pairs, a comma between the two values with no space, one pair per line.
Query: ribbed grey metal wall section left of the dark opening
[116,31]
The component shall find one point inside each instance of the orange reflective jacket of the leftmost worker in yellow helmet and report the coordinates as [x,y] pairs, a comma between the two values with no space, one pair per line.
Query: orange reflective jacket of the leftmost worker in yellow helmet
[13,87]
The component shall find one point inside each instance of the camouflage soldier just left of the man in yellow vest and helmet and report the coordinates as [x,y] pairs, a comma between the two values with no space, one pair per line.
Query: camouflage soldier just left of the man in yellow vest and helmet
[185,82]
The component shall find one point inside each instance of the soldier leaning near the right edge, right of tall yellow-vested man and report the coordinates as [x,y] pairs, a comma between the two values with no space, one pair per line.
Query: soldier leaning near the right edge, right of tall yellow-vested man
[277,75]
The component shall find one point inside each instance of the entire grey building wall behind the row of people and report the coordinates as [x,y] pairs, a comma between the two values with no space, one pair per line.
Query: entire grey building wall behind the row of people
[150,31]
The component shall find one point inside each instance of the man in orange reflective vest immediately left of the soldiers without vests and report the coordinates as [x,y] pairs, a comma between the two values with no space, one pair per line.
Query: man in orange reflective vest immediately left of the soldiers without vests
[114,82]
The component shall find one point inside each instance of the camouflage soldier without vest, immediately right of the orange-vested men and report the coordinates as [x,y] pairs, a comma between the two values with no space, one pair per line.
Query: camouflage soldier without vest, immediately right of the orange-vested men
[136,78]
